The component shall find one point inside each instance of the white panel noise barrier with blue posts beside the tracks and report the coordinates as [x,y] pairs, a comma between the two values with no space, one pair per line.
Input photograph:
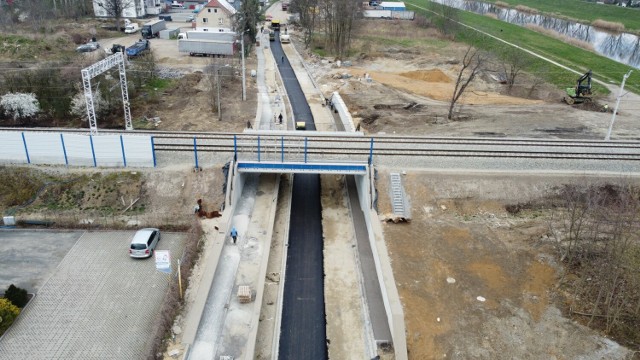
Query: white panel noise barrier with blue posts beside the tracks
[76,150]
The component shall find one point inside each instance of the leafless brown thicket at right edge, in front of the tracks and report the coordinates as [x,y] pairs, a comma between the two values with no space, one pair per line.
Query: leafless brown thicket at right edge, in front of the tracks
[597,238]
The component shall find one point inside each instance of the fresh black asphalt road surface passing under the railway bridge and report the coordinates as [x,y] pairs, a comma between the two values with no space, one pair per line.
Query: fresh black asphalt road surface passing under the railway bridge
[303,327]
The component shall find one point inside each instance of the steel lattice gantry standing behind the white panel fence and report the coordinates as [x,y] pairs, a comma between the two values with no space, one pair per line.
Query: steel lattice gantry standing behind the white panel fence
[96,69]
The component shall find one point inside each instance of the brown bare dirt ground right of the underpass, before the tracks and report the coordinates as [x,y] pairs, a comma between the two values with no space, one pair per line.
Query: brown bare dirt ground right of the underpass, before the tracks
[476,282]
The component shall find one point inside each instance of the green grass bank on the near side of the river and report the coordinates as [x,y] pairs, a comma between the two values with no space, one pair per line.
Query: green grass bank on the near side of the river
[574,58]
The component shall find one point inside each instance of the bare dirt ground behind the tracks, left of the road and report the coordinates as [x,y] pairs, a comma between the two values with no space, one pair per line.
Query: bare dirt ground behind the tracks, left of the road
[189,105]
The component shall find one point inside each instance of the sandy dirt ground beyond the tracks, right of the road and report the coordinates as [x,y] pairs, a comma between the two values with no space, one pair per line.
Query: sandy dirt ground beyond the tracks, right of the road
[411,87]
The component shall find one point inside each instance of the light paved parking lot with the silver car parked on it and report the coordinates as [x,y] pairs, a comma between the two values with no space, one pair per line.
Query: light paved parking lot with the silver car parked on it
[98,304]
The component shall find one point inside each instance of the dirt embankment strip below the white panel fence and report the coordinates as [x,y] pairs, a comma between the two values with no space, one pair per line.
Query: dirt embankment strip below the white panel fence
[112,198]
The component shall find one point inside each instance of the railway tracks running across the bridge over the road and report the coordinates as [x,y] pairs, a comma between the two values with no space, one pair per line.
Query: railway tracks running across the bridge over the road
[341,145]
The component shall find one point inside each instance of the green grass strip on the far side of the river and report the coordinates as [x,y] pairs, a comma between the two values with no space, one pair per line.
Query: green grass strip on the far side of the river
[582,11]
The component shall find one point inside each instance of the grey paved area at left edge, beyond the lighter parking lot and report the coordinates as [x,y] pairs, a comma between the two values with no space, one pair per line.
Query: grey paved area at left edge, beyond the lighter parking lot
[29,257]
